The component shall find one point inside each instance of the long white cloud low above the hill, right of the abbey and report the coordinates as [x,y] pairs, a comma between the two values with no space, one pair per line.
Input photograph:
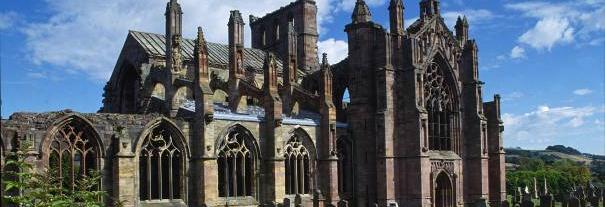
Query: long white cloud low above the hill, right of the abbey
[546,123]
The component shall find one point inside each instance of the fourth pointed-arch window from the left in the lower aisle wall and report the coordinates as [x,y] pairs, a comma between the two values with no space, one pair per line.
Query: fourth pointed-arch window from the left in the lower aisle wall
[298,165]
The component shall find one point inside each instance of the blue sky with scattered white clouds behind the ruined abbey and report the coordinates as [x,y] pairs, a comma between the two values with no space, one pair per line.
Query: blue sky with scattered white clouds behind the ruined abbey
[546,58]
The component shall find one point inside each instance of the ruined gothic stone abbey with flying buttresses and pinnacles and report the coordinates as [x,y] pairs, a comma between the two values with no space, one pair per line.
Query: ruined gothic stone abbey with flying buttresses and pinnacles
[194,123]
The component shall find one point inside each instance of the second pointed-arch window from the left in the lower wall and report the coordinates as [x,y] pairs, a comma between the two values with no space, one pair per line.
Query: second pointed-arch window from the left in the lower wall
[161,165]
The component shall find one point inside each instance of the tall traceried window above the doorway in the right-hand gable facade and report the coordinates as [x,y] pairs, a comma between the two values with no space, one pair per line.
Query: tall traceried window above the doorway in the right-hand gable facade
[439,105]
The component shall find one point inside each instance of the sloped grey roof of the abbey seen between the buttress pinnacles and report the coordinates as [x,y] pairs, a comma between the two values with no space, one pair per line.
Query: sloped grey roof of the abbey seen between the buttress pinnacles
[218,54]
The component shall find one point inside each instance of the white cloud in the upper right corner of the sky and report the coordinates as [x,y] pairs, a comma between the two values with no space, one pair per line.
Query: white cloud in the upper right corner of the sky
[561,23]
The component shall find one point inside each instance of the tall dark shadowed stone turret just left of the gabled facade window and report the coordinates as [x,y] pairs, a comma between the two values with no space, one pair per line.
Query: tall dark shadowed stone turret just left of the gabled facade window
[371,79]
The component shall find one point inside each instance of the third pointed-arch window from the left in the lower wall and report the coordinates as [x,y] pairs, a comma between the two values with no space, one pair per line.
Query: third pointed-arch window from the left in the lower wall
[236,164]
